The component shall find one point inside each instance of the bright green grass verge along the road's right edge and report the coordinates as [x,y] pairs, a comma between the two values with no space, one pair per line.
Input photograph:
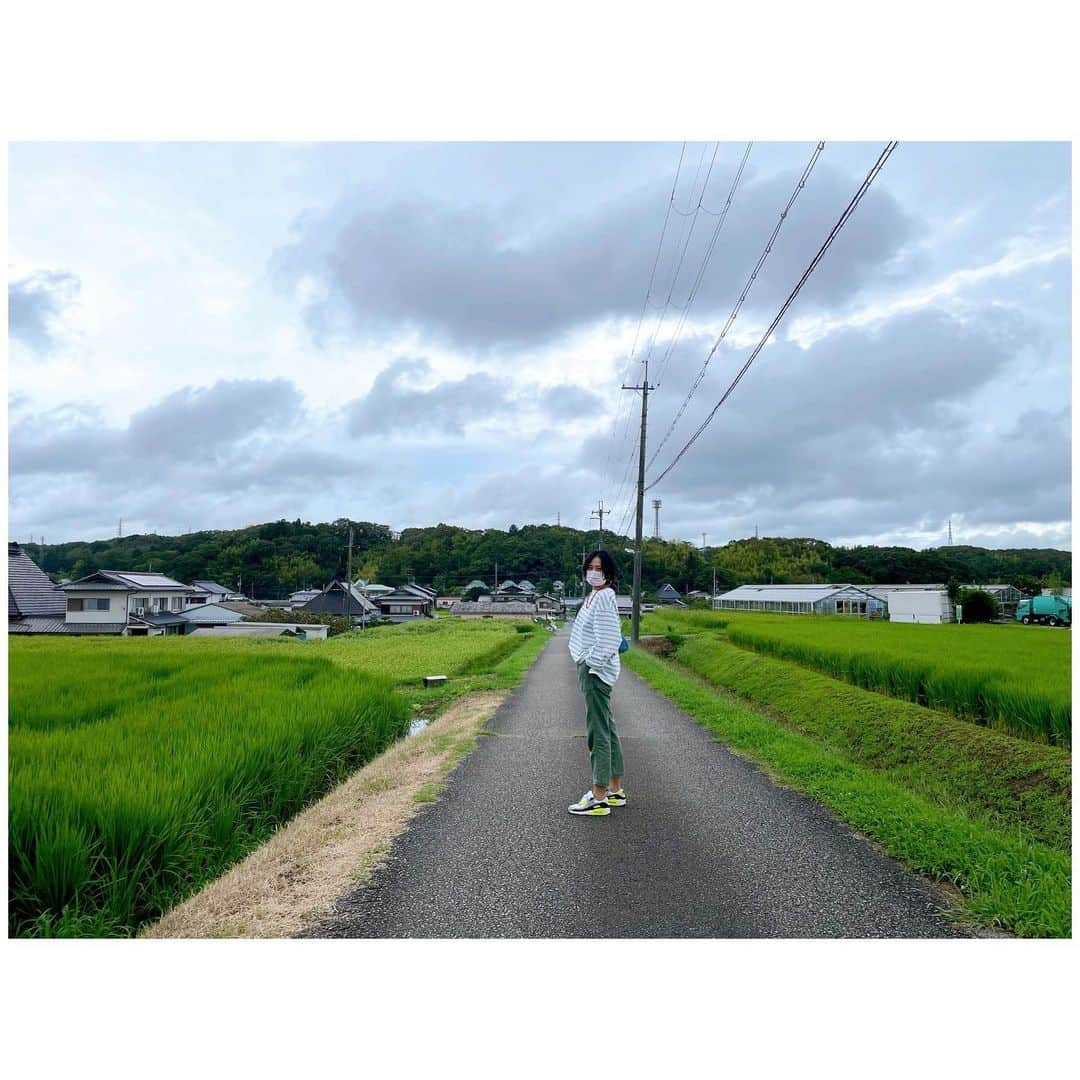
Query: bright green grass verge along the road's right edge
[1006,880]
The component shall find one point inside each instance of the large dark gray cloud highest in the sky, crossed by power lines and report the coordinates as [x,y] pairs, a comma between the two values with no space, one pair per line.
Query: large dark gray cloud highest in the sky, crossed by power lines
[491,276]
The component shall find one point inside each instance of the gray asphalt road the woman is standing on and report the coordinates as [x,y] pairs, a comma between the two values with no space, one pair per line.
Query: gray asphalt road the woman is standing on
[707,846]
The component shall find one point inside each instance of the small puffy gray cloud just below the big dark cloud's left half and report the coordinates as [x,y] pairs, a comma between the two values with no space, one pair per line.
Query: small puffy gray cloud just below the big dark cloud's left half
[394,406]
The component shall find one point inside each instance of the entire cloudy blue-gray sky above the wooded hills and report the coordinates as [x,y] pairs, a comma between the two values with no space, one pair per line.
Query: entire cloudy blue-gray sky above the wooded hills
[213,335]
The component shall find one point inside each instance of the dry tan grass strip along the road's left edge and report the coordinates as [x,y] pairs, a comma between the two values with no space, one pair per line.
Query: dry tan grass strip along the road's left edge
[293,880]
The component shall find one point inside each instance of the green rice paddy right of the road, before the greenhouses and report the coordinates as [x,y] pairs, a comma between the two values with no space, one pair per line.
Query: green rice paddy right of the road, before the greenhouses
[1010,678]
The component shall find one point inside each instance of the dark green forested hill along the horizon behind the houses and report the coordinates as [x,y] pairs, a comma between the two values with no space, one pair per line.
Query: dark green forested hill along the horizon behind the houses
[273,560]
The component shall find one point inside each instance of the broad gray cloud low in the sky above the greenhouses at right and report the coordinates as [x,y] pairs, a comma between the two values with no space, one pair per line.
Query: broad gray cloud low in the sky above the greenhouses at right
[892,426]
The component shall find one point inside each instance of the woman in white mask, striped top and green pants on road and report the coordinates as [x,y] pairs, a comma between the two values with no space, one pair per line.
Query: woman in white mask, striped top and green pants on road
[595,649]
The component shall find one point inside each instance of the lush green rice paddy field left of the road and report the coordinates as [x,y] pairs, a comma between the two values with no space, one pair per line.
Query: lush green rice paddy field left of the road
[140,769]
